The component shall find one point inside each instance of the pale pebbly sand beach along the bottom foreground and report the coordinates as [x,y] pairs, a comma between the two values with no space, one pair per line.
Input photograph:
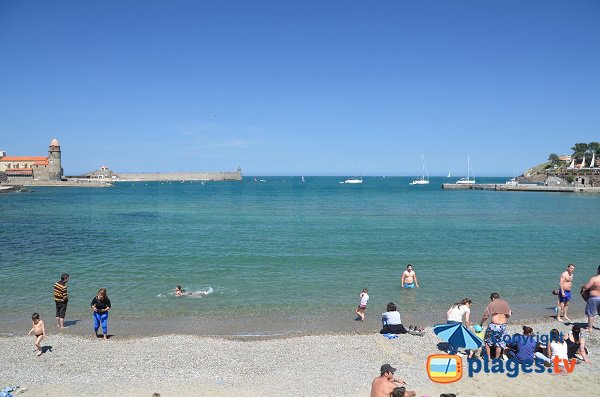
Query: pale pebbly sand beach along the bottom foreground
[310,365]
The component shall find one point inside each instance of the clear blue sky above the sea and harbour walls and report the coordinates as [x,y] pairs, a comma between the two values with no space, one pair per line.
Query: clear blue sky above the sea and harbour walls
[299,88]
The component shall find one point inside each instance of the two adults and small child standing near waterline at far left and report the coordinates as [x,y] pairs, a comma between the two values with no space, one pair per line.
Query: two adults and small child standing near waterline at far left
[100,306]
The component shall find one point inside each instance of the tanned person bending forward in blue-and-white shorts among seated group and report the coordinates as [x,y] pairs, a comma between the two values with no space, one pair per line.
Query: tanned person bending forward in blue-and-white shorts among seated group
[499,311]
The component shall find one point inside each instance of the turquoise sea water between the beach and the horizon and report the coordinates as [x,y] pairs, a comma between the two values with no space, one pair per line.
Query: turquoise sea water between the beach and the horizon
[267,252]
